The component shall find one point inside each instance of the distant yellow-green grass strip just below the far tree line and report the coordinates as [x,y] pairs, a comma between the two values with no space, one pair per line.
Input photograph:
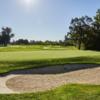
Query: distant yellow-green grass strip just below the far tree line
[34,48]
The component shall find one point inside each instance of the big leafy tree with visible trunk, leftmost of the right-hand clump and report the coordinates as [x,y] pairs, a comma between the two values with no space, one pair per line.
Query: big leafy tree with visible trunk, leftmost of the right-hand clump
[79,29]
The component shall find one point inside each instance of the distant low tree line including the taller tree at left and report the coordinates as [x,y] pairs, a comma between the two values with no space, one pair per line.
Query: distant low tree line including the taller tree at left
[6,35]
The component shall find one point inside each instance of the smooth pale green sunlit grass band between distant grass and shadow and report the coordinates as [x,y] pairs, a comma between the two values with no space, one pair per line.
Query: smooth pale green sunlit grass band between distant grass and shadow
[45,54]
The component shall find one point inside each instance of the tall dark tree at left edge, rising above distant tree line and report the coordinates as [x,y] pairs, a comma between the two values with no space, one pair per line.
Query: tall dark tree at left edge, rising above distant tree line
[6,36]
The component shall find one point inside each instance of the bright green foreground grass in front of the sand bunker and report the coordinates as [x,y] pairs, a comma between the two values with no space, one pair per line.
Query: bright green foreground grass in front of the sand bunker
[66,92]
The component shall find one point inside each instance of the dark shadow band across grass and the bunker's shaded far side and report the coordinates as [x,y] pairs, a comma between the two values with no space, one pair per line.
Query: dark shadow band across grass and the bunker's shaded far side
[50,66]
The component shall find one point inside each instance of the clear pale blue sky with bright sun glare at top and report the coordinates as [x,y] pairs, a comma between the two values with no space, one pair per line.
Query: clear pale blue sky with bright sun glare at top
[43,19]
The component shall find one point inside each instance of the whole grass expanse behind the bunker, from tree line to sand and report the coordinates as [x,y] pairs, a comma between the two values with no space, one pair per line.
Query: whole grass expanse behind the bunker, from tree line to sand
[24,57]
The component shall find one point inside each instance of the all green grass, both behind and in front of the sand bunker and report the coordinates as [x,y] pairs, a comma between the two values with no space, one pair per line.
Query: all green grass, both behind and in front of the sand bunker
[21,57]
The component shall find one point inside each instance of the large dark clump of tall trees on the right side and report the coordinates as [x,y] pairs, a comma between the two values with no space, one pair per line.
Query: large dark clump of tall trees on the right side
[84,32]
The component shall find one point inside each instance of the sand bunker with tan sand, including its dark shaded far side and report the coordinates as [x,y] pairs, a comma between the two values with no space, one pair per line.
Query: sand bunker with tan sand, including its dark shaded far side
[42,79]
